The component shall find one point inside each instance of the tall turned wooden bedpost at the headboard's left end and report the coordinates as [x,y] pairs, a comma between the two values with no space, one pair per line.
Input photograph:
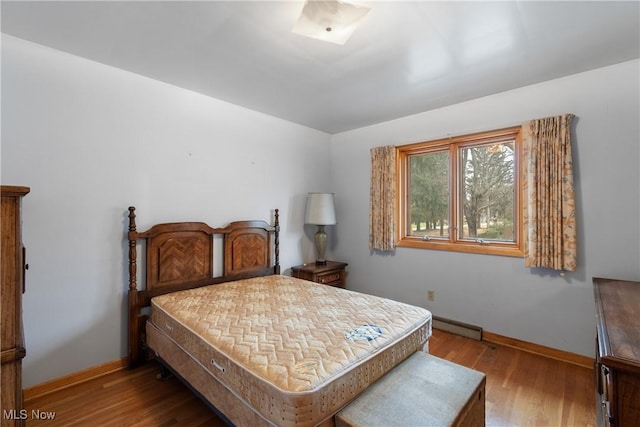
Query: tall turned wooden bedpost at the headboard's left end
[134,344]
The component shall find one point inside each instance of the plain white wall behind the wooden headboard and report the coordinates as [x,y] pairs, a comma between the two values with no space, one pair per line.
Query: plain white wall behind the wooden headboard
[91,140]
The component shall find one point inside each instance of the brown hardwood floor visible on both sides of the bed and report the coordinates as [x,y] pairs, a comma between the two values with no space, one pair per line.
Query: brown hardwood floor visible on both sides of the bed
[522,390]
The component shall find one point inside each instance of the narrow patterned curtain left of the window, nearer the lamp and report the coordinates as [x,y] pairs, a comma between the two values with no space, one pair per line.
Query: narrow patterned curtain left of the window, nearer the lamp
[382,199]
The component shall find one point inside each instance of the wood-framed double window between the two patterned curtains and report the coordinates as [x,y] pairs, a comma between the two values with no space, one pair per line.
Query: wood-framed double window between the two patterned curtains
[462,194]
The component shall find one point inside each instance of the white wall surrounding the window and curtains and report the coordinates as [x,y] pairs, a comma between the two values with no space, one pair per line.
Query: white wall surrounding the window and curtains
[499,293]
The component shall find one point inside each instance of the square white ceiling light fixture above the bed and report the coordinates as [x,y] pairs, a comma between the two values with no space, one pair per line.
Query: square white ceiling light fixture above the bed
[329,20]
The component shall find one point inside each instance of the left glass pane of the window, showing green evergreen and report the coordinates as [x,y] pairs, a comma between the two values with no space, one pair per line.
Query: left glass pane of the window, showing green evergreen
[429,195]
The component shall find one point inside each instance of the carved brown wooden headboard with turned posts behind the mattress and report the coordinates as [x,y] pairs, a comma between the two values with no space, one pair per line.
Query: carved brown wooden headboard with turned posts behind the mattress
[180,255]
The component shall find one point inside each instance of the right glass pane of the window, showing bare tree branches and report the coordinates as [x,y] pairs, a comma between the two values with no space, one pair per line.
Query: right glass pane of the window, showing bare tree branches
[488,192]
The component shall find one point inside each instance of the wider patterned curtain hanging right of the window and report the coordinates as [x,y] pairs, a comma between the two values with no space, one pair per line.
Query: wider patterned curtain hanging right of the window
[550,217]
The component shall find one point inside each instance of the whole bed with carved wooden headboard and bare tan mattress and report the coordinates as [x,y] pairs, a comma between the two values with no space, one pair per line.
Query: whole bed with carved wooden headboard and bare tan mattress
[259,347]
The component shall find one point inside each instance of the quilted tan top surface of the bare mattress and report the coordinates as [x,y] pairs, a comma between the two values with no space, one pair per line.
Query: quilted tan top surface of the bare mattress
[293,333]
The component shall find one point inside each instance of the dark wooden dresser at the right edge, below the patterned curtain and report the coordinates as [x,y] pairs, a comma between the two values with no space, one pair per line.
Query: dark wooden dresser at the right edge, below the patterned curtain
[617,352]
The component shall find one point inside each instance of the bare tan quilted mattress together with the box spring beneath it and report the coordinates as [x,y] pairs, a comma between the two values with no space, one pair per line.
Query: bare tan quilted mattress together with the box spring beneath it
[293,351]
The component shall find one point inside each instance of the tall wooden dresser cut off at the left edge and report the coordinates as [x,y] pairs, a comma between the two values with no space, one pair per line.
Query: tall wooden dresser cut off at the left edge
[12,340]
